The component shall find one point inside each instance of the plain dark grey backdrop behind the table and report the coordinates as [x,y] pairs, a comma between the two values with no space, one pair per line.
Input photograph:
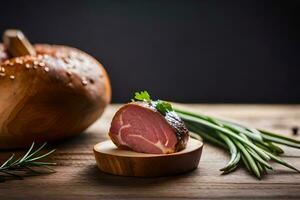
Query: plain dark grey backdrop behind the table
[188,51]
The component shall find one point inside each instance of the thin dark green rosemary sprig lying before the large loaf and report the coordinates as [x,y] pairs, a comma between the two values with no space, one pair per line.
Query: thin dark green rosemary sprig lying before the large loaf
[27,164]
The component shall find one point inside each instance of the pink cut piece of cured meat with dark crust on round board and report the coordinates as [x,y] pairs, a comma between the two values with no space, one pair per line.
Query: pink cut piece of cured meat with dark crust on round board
[138,126]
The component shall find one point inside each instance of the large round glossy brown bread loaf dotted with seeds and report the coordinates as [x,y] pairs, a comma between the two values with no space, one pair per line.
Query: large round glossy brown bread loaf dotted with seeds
[54,94]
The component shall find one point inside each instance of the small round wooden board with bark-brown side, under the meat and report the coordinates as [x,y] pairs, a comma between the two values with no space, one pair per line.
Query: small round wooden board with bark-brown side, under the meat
[116,161]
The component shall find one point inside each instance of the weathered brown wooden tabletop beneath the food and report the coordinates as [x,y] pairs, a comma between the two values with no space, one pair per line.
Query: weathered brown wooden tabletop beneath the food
[77,176]
